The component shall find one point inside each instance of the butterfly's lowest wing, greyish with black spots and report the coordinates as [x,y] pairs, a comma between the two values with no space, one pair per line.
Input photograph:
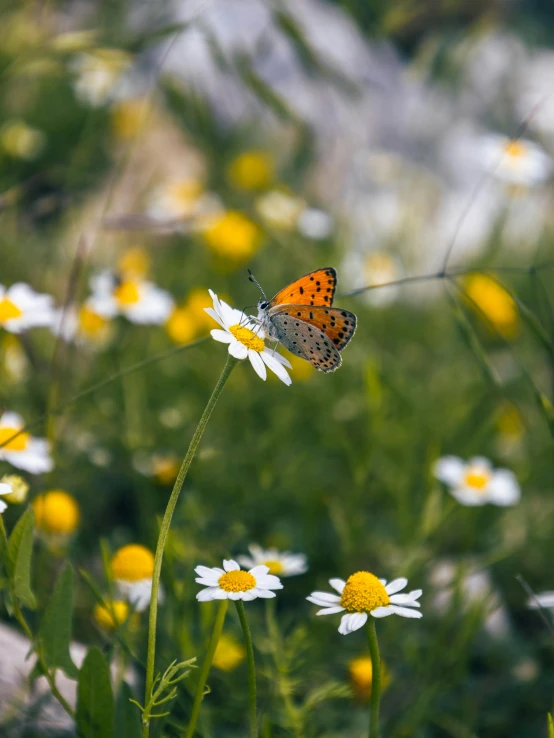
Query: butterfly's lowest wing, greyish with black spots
[306,341]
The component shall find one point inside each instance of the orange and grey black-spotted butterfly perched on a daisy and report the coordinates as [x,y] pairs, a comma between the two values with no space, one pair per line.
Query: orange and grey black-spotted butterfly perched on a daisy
[301,317]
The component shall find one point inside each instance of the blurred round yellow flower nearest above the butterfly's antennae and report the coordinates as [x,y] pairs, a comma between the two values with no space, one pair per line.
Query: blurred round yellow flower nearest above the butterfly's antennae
[233,236]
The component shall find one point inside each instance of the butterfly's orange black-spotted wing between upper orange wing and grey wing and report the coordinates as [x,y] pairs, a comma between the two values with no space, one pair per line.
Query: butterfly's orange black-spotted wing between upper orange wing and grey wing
[337,324]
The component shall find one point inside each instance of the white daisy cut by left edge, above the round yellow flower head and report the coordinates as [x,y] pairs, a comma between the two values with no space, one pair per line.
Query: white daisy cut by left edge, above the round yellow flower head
[24,452]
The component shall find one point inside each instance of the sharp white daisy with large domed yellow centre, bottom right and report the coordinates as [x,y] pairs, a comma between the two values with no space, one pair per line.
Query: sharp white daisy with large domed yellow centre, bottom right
[362,595]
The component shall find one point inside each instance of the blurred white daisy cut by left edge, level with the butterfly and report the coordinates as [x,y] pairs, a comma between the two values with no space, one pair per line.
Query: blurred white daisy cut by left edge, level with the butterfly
[21,308]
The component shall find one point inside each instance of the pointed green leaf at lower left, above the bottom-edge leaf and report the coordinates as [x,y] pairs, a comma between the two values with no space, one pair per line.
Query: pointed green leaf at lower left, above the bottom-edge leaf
[55,628]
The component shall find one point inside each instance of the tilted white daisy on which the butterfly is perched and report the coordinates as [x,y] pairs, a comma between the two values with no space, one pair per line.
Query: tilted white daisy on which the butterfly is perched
[246,340]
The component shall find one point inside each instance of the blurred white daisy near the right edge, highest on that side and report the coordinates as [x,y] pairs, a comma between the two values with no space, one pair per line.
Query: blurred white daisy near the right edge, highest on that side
[516,161]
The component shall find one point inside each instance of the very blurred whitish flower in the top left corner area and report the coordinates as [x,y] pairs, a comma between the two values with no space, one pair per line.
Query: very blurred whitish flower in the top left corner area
[99,74]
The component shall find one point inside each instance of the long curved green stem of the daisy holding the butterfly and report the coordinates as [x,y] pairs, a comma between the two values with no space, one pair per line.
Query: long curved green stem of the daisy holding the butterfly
[164,530]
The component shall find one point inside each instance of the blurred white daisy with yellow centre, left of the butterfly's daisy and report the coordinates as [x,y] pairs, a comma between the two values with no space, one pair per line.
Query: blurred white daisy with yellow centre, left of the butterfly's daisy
[138,300]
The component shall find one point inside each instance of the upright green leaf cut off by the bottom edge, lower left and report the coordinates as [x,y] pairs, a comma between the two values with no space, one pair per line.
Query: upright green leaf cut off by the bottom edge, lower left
[95,704]
